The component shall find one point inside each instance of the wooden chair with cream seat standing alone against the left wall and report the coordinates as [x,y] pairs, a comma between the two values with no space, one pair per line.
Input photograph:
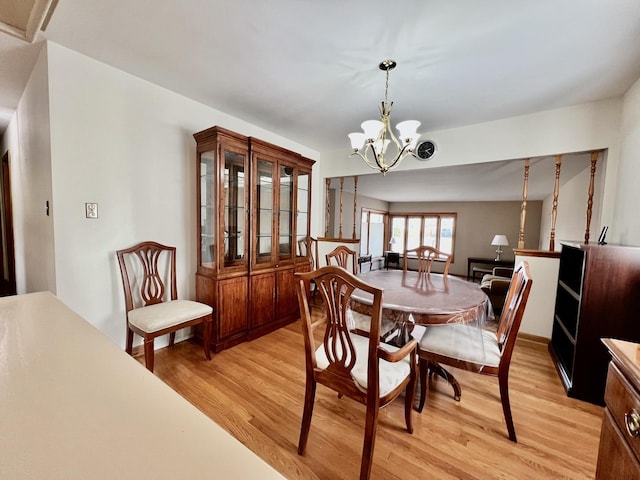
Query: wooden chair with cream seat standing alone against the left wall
[148,272]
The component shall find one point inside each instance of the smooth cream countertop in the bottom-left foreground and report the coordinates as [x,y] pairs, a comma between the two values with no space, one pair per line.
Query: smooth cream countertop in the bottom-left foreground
[75,406]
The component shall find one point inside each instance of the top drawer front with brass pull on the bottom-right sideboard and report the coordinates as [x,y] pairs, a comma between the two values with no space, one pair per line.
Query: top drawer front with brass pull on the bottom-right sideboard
[622,400]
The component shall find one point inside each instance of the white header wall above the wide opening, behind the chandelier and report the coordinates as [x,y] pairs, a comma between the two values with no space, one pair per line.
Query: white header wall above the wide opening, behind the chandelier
[579,128]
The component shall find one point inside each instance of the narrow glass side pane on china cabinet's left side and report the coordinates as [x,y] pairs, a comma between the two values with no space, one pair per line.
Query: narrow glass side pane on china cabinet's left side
[207,210]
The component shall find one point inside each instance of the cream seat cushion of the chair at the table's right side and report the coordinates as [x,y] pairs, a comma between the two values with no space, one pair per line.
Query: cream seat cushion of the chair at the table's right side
[466,342]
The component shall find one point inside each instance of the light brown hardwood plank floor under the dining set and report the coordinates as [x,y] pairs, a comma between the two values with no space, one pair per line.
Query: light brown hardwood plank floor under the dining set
[255,391]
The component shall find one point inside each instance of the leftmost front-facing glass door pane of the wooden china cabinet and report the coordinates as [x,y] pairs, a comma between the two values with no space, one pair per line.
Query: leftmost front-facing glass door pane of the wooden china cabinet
[234,212]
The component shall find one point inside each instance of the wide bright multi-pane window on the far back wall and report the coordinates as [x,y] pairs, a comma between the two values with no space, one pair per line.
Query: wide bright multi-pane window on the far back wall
[432,229]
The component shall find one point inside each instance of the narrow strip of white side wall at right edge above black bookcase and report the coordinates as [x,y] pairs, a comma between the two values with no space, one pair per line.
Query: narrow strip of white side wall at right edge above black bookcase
[625,226]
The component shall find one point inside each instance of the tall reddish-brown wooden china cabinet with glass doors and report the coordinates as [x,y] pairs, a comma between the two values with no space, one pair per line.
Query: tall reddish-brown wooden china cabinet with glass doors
[254,203]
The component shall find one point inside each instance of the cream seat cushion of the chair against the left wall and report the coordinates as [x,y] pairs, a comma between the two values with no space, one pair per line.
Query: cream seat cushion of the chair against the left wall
[167,314]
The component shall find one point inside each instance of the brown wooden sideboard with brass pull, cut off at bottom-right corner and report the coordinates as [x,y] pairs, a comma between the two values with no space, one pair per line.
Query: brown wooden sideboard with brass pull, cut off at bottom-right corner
[619,453]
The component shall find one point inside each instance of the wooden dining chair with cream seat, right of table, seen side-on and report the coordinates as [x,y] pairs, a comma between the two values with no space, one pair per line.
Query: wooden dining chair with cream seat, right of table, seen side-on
[472,348]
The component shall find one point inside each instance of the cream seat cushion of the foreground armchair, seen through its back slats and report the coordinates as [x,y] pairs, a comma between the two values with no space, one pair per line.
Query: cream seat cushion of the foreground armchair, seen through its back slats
[391,374]
